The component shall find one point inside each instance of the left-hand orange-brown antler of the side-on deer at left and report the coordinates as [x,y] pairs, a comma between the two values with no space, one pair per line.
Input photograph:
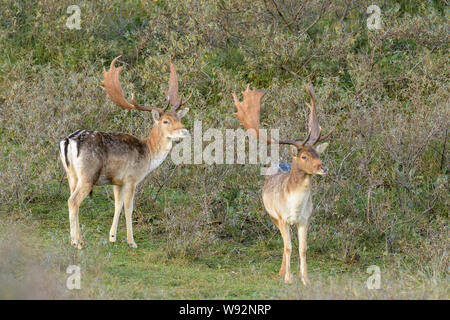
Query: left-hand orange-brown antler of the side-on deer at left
[114,89]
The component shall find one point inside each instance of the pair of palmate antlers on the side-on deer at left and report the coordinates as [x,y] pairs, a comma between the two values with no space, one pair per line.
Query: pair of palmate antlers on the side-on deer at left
[115,93]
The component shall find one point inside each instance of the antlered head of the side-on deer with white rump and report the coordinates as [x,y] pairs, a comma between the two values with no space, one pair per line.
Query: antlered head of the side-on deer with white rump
[167,121]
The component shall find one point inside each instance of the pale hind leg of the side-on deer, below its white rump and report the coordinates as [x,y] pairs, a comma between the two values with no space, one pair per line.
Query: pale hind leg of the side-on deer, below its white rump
[81,191]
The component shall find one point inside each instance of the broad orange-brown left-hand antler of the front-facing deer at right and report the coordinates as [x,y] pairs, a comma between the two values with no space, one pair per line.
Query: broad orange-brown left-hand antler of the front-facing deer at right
[248,113]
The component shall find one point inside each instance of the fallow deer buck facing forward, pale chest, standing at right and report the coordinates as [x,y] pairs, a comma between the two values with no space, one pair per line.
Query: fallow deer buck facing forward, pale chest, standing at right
[287,193]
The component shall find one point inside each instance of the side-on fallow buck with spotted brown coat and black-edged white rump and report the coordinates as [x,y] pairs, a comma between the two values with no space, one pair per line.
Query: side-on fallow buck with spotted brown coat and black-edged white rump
[119,159]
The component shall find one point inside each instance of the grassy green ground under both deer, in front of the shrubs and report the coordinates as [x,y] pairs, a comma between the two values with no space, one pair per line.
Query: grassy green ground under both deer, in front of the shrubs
[37,243]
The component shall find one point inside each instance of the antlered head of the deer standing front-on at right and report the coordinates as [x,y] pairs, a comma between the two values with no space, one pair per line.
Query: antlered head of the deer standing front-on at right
[305,152]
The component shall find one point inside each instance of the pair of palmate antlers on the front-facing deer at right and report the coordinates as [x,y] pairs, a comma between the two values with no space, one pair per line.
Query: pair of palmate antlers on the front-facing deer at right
[248,113]
